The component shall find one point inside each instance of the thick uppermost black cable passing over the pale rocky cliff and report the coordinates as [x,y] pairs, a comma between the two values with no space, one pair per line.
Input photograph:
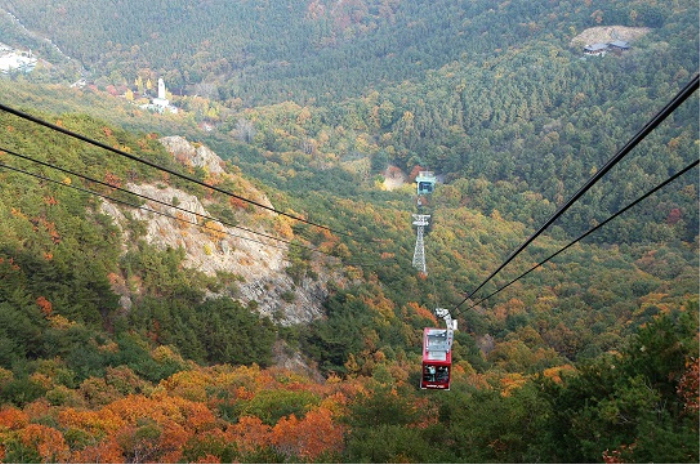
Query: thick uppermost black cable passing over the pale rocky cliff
[63,130]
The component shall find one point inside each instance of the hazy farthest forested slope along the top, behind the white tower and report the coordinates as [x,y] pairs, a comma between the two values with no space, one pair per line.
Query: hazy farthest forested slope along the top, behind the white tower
[265,52]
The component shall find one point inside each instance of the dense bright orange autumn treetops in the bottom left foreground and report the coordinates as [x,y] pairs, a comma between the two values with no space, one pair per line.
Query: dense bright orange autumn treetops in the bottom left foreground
[165,426]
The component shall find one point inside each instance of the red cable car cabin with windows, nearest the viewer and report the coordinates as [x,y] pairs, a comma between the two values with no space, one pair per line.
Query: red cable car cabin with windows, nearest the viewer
[437,359]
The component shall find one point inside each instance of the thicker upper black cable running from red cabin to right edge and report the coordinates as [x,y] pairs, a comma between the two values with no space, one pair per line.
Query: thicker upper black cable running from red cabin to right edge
[680,97]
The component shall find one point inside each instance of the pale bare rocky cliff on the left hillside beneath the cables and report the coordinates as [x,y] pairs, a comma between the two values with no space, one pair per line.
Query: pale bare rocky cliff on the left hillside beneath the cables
[212,246]
